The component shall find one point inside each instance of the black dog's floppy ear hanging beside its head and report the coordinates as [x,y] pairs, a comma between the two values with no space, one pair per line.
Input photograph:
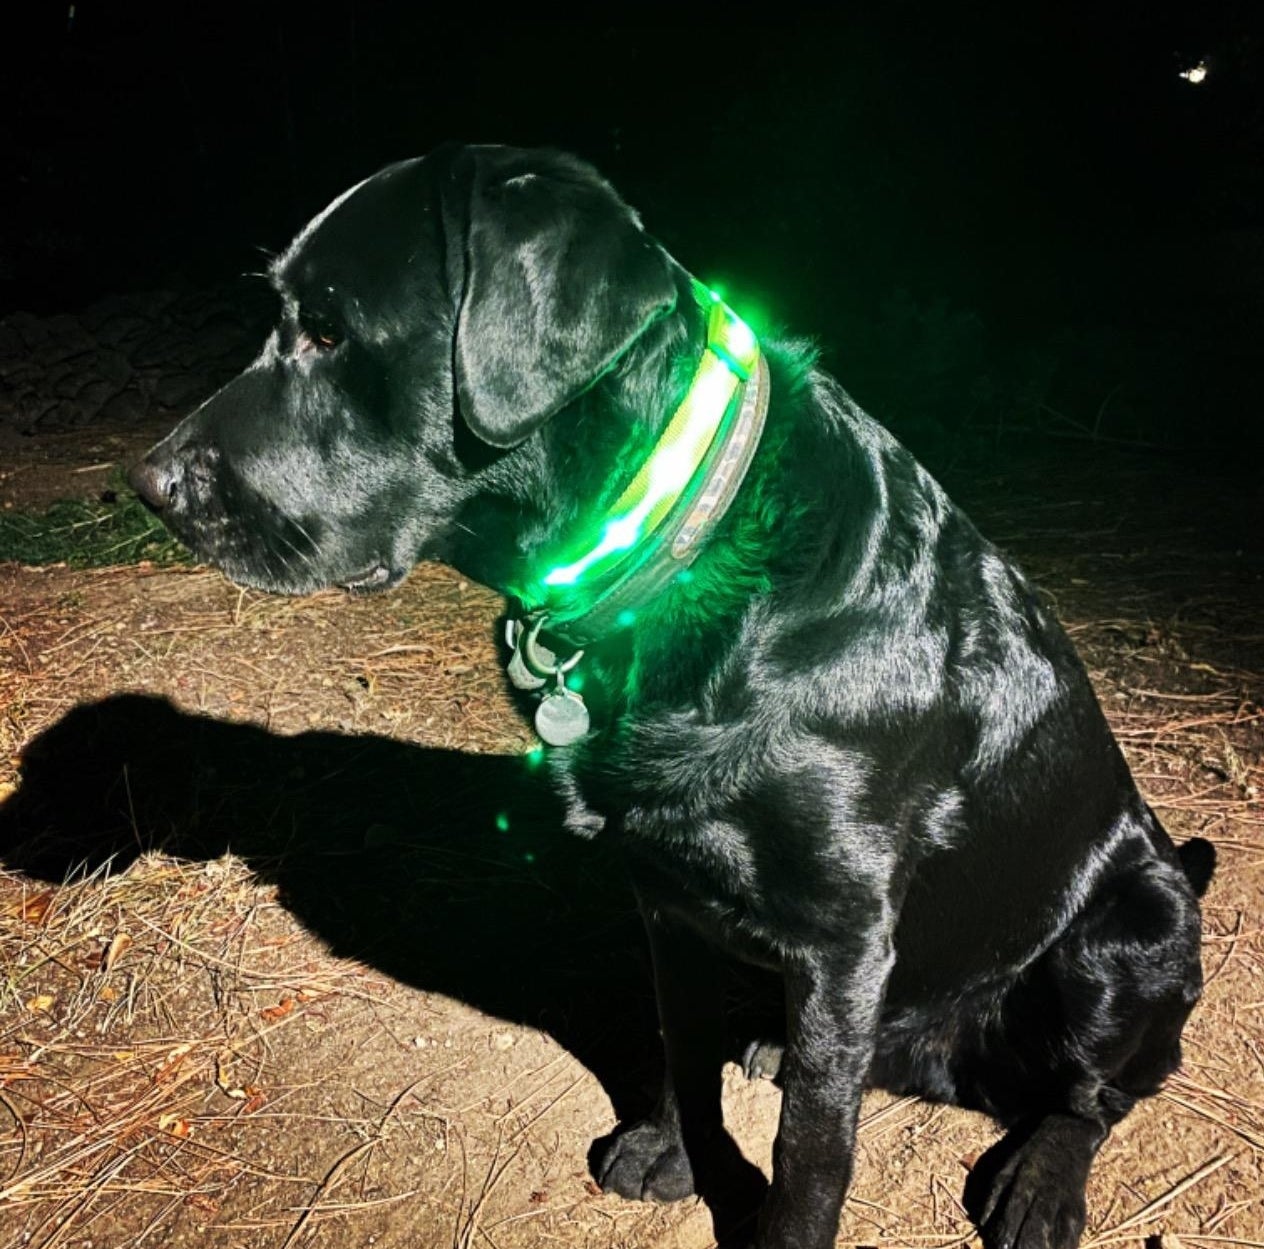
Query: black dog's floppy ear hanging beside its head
[558,281]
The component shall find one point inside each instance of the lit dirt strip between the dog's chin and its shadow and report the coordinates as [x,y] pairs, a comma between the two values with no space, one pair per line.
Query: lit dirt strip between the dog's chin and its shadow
[422,666]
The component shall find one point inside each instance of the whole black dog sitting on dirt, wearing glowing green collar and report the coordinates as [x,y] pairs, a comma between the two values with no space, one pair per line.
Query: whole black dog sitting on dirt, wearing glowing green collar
[845,741]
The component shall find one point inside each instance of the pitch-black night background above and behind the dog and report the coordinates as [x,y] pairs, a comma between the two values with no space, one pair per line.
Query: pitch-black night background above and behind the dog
[1002,224]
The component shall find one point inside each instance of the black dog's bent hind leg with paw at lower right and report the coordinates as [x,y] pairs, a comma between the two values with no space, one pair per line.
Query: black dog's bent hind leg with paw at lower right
[1126,975]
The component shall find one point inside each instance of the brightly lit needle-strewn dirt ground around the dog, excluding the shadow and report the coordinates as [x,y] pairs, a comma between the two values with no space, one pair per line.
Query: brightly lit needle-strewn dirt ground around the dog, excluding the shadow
[162,1025]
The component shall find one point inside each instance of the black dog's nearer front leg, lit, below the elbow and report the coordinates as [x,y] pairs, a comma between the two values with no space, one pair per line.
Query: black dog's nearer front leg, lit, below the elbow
[832,1007]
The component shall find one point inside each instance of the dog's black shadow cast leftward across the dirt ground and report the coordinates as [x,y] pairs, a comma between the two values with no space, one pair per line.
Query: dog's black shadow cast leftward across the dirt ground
[446,870]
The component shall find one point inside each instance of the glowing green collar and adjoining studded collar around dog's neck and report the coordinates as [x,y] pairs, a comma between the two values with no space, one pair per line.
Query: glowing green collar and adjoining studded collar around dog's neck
[658,527]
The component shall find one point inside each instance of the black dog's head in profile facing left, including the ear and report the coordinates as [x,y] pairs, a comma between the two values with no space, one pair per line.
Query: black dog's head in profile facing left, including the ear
[434,319]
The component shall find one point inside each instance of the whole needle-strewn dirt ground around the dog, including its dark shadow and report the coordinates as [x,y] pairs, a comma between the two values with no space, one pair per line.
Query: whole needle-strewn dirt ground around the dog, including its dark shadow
[295,953]
